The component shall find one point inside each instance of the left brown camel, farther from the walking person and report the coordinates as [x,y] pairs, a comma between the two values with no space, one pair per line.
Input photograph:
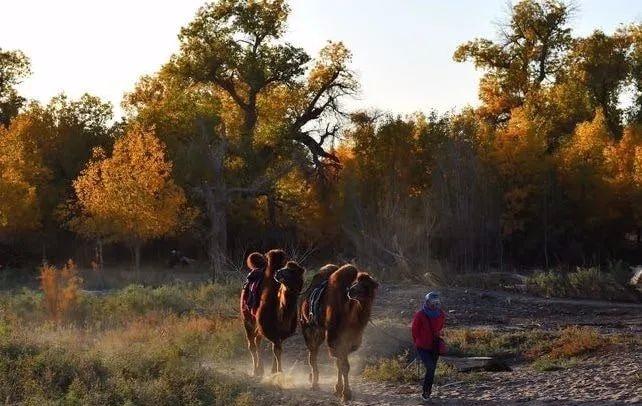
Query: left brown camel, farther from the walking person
[275,317]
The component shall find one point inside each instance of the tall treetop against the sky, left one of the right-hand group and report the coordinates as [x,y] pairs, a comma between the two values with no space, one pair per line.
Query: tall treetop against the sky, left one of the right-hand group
[530,52]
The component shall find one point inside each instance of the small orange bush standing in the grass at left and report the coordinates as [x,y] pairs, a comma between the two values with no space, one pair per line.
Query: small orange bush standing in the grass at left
[61,289]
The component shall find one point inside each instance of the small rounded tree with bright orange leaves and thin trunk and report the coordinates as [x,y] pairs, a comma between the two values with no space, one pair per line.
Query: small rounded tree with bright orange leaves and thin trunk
[129,197]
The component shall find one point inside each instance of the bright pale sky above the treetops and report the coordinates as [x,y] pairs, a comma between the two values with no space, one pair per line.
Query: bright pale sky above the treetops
[402,48]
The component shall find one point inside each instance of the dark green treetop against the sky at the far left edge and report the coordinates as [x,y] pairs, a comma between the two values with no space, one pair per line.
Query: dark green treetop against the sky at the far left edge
[14,66]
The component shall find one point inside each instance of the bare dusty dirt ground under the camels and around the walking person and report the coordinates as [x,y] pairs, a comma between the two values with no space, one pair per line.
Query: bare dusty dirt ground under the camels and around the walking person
[608,378]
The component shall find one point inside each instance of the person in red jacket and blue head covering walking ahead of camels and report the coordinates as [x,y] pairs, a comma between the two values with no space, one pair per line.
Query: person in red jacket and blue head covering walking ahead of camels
[427,325]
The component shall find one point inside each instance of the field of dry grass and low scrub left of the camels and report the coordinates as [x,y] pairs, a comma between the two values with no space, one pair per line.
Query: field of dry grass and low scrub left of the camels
[144,346]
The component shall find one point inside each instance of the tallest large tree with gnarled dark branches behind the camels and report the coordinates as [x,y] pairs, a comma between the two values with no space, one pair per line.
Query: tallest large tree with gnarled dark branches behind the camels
[269,120]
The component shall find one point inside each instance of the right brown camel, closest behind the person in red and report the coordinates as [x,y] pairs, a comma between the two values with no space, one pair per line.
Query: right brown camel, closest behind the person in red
[345,308]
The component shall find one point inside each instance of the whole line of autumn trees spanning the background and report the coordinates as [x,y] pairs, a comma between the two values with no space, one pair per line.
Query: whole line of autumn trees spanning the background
[242,140]
